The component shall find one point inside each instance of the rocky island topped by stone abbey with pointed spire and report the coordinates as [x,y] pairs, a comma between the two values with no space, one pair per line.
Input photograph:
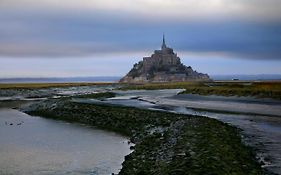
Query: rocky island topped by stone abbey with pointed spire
[162,66]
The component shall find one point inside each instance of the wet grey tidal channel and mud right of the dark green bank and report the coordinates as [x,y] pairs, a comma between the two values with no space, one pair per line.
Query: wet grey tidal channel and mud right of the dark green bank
[259,119]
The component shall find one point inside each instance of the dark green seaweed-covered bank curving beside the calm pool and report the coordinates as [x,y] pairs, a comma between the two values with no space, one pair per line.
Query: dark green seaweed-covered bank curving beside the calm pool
[165,143]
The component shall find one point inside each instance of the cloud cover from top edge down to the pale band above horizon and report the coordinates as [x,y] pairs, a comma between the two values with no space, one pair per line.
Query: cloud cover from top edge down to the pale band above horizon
[241,28]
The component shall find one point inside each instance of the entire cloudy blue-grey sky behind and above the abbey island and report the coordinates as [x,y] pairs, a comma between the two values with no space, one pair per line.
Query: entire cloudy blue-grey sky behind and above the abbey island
[70,38]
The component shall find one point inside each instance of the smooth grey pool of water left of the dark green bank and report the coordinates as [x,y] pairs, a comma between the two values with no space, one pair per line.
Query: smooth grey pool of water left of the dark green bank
[34,145]
